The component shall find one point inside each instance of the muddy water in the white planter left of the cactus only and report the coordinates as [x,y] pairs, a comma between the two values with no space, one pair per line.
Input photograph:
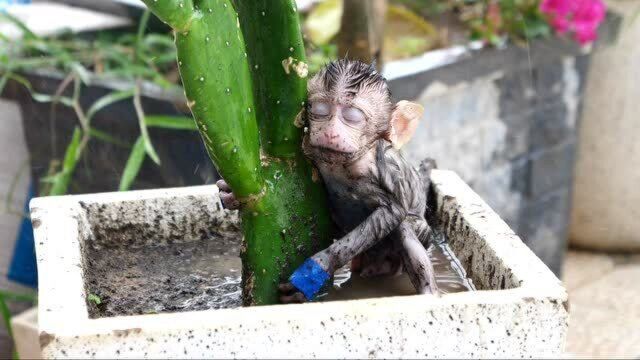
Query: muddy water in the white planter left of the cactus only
[193,275]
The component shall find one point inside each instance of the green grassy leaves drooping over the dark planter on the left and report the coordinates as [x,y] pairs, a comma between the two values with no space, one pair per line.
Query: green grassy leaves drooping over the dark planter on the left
[136,57]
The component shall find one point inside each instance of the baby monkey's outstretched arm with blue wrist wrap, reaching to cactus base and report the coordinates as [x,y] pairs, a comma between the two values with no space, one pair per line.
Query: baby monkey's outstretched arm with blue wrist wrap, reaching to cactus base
[312,275]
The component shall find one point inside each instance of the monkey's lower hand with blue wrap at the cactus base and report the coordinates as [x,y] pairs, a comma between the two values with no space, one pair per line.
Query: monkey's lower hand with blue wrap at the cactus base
[305,283]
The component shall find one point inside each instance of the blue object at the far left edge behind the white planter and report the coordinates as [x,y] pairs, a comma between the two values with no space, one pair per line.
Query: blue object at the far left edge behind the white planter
[23,267]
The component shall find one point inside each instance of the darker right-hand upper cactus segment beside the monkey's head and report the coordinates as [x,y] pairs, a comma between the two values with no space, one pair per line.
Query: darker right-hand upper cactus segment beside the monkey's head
[278,65]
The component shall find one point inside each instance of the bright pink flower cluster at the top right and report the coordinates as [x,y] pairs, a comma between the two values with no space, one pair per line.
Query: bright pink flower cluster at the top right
[582,17]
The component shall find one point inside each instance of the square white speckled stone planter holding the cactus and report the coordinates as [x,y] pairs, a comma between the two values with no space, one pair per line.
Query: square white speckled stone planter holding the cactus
[521,310]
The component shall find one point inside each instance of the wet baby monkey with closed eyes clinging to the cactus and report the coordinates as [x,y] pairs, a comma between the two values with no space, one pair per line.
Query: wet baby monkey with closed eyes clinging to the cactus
[352,136]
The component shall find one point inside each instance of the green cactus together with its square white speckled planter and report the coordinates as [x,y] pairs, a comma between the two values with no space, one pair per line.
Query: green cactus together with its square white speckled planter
[130,274]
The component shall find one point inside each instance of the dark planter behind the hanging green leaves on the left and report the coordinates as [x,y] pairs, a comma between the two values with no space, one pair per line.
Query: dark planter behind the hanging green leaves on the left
[48,130]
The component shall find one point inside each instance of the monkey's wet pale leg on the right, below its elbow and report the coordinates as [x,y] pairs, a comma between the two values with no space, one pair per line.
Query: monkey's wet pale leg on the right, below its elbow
[416,260]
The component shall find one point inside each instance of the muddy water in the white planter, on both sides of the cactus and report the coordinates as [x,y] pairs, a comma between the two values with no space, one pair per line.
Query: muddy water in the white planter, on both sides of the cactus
[205,274]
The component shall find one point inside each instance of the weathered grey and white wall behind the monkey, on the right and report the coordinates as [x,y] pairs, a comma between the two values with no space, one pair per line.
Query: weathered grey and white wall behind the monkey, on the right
[505,121]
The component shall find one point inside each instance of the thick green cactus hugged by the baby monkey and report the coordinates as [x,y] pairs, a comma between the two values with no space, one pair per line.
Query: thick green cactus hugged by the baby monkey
[255,144]
